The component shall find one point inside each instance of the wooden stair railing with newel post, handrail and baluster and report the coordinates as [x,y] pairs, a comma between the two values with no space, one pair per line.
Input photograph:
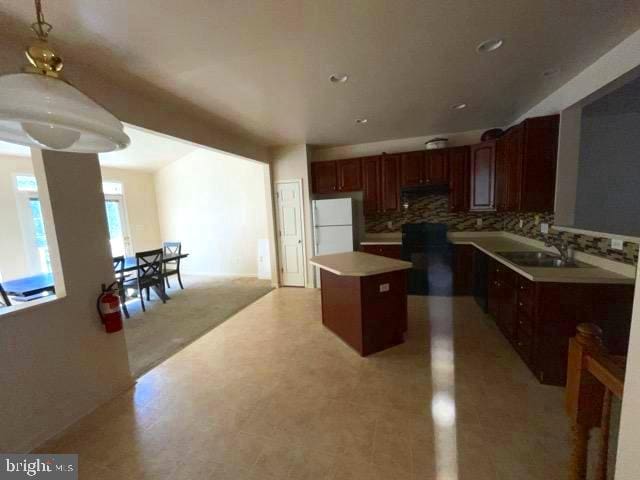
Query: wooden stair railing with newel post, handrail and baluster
[592,377]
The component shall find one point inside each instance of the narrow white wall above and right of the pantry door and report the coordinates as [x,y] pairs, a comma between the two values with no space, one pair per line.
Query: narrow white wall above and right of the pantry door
[291,162]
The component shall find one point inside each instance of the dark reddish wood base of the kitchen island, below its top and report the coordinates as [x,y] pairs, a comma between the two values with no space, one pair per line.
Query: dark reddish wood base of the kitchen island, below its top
[368,313]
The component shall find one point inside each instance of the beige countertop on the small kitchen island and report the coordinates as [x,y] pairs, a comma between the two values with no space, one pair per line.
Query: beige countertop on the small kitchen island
[358,264]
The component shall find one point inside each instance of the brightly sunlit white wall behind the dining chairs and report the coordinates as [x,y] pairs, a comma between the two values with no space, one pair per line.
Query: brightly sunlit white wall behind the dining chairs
[215,205]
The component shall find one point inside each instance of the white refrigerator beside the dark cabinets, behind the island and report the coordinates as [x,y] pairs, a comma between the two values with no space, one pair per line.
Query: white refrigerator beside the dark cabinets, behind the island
[333,228]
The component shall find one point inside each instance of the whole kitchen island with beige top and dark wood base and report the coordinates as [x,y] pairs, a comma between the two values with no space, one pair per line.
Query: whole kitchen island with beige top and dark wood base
[364,299]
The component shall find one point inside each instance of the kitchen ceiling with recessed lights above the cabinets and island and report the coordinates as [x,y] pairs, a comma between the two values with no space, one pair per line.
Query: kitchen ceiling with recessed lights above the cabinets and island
[264,65]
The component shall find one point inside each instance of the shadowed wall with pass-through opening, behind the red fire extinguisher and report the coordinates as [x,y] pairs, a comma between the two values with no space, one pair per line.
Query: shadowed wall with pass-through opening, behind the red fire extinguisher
[57,363]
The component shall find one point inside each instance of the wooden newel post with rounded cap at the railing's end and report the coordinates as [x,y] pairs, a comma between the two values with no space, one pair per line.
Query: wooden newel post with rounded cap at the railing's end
[583,396]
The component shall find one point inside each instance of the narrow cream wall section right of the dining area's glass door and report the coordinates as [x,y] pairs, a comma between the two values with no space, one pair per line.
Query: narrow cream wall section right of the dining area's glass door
[141,207]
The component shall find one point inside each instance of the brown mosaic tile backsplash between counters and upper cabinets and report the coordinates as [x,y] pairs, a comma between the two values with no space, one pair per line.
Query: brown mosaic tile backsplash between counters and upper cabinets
[435,208]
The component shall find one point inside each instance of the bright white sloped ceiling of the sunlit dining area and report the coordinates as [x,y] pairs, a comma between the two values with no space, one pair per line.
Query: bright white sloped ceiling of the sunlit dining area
[147,151]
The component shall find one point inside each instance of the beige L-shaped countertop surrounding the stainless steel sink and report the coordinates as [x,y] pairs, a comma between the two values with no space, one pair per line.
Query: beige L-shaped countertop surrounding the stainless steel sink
[492,244]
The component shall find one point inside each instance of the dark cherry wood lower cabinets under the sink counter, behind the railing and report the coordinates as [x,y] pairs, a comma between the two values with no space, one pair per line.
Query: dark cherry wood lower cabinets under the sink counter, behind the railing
[539,318]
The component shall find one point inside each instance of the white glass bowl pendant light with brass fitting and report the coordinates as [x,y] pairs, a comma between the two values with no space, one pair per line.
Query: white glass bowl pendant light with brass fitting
[38,108]
